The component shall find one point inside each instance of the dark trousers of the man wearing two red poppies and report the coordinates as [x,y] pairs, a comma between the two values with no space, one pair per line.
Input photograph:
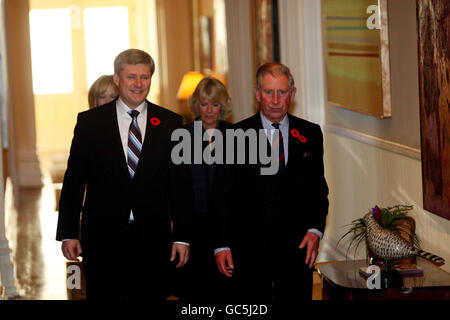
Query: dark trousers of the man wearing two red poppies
[271,268]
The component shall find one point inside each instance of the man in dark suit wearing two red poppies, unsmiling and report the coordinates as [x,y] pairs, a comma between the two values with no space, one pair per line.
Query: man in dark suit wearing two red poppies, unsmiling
[268,236]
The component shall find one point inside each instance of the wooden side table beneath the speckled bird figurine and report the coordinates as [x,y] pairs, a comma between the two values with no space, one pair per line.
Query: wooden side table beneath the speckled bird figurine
[342,281]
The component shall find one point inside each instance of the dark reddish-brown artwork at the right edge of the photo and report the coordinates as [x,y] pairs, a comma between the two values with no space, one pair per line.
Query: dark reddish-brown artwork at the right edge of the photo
[434,92]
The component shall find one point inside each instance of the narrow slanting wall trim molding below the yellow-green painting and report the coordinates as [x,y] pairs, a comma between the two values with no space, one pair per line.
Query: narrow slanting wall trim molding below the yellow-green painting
[374,141]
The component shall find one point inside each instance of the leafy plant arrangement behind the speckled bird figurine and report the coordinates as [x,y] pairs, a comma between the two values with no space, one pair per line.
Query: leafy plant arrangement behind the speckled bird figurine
[392,218]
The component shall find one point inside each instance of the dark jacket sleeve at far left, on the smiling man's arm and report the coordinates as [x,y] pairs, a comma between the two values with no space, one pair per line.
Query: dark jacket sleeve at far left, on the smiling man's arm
[74,183]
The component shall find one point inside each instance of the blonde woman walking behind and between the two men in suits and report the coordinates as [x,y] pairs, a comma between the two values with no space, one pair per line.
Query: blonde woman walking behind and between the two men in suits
[200,281]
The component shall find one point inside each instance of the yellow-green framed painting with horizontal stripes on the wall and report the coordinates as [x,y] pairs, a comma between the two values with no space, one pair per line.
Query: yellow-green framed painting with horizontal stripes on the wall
[357,51]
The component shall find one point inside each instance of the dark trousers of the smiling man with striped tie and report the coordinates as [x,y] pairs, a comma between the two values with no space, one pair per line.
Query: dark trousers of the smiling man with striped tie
[128,275]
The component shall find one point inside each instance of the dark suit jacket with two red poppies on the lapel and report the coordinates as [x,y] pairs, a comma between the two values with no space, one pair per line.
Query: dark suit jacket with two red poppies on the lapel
[243,199]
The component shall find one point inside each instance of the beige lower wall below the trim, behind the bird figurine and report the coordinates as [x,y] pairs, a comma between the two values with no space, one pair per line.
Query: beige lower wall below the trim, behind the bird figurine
[361,176]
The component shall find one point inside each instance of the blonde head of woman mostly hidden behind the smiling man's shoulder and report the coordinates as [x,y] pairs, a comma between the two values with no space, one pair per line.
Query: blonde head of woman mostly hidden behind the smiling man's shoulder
[102,91]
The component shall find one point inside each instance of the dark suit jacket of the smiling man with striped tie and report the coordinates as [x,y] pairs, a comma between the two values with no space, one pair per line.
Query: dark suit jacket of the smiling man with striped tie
[158,191]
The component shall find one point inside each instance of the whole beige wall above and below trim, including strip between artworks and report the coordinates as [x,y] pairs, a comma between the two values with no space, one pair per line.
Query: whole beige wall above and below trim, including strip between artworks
[363,170]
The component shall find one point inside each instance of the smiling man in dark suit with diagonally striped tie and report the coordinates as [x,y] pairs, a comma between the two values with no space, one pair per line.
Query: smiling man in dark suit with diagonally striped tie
[120,155]
